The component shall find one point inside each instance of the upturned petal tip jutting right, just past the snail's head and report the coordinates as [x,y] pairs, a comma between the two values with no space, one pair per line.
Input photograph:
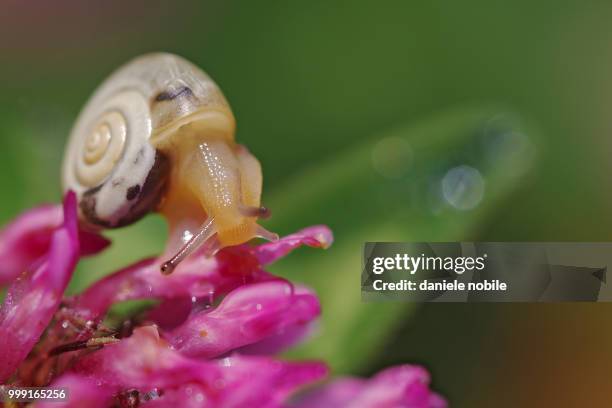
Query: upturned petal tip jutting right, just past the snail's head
[318,236]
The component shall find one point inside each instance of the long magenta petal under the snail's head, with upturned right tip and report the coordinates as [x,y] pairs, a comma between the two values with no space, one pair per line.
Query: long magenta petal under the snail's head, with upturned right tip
[197,276]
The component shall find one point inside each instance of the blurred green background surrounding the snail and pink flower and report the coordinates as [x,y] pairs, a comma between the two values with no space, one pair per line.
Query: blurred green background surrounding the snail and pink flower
[357,110]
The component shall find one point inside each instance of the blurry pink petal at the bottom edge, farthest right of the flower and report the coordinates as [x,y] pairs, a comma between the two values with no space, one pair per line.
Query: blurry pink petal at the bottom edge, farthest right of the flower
[403,386]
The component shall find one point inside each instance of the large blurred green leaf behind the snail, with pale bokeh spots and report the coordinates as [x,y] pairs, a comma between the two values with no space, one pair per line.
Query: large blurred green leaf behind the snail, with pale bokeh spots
[391,189]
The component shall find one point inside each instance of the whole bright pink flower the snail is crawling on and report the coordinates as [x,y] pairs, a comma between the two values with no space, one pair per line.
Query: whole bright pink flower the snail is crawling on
[207,342]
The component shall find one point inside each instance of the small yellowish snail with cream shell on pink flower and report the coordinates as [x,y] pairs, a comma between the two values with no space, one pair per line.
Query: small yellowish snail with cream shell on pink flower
[158,136]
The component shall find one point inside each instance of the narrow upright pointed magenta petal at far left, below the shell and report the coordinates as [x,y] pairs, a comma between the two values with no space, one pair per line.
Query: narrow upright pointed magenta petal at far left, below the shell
[33,299]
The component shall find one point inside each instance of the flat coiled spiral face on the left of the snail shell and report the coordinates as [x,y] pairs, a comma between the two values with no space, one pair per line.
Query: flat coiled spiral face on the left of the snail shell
[109,153]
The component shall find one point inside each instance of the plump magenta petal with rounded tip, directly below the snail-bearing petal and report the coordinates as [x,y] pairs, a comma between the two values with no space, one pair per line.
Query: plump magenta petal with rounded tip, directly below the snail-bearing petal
[246,315]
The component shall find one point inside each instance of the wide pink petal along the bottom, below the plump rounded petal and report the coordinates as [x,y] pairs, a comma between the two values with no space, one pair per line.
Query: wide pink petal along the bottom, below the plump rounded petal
[144,362]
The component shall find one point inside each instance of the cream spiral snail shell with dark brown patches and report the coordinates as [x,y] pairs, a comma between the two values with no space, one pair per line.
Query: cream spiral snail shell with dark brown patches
[111,160]
